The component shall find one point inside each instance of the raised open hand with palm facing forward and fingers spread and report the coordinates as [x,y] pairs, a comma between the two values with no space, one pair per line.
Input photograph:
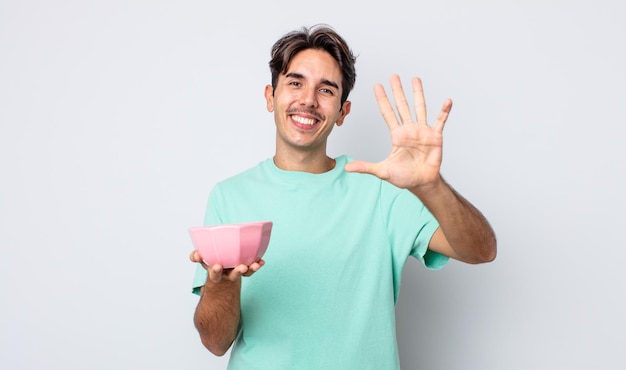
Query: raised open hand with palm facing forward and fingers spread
[416,152]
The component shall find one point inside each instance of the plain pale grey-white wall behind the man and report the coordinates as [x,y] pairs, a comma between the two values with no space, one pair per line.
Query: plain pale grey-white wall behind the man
[118,117]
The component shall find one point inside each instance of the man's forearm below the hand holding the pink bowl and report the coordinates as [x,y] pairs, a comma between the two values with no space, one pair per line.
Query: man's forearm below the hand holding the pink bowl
[217,315]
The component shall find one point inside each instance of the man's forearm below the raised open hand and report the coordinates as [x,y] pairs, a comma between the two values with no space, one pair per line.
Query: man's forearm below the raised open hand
[467,232]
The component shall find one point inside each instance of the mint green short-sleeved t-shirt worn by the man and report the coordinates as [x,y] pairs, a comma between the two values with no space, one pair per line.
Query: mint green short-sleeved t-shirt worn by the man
[325,298]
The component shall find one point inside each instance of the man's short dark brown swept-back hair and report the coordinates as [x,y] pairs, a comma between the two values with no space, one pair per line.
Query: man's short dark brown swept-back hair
[321,37]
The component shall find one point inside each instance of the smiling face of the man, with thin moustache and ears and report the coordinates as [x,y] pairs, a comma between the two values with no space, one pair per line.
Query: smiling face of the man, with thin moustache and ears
[306,101]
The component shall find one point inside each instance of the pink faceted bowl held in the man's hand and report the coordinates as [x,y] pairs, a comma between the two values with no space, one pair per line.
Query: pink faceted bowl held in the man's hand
[231,244]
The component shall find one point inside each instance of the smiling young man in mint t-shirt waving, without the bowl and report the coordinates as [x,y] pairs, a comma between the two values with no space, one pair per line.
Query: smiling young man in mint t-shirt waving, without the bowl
[342,229]
